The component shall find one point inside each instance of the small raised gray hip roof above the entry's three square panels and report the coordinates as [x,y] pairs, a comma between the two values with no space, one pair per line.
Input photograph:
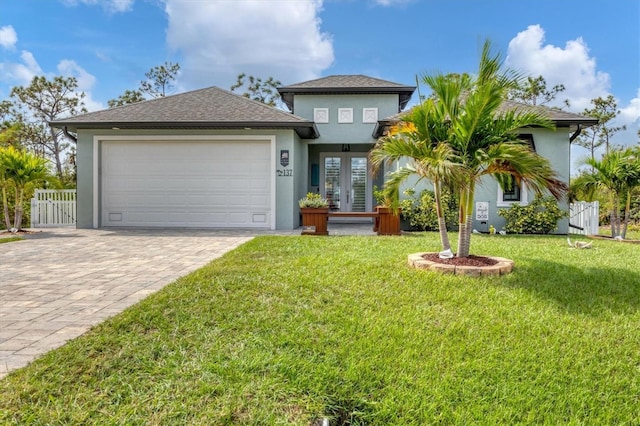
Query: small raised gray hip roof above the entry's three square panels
[347,84]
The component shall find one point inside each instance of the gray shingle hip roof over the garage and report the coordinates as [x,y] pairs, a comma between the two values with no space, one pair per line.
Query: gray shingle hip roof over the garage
[205,108]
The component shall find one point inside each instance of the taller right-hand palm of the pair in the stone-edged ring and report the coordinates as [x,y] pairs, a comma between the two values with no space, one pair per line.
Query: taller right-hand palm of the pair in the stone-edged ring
[484,138]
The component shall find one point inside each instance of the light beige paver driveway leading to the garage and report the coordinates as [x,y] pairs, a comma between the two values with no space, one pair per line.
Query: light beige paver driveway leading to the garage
[58,283]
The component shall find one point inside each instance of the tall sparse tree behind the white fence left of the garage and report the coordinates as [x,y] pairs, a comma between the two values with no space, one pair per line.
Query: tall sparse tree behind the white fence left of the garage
[44,101]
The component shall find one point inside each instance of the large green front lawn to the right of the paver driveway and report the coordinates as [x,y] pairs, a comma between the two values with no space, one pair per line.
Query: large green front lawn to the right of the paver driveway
[286,330]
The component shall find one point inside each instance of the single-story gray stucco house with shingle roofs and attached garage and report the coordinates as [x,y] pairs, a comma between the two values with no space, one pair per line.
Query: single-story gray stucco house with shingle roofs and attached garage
[210,158]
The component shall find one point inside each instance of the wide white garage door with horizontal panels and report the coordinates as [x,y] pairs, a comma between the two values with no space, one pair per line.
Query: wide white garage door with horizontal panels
[197,184]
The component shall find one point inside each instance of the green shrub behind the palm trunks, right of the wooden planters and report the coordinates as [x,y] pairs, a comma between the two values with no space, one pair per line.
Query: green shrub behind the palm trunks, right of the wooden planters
[420,212]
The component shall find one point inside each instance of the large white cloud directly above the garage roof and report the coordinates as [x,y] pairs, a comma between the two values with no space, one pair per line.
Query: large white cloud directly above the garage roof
[219,40]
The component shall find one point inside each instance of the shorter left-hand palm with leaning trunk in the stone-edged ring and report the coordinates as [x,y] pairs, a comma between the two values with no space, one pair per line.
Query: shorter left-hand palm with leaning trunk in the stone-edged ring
[421,138]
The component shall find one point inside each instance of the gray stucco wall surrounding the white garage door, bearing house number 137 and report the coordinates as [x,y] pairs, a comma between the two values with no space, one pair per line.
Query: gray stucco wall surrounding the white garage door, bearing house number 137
[287,179]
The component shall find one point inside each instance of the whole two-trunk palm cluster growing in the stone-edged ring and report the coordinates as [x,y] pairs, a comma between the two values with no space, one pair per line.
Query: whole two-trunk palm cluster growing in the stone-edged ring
[461,134]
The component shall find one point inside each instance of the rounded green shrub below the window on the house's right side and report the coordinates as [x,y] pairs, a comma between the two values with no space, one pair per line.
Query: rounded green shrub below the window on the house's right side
[541,216]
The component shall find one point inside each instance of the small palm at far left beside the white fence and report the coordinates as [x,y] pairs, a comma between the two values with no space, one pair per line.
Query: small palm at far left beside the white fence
[22,168]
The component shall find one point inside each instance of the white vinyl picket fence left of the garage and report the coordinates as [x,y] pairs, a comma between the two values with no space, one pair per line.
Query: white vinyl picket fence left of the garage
[52,208]
